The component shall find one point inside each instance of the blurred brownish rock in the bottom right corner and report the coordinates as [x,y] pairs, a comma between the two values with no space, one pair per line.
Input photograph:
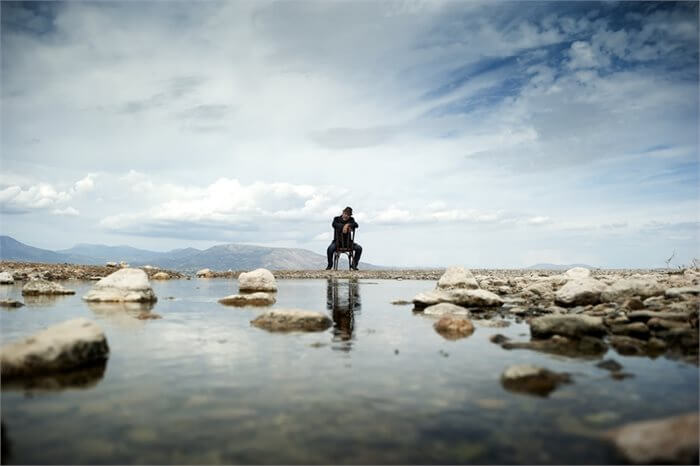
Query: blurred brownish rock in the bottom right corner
[672,440]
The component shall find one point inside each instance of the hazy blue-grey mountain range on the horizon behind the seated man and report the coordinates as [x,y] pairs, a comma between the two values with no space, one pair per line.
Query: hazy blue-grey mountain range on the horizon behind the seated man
[221,257]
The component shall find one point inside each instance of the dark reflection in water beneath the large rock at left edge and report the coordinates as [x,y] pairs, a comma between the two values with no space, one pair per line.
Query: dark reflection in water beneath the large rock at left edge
[76,379]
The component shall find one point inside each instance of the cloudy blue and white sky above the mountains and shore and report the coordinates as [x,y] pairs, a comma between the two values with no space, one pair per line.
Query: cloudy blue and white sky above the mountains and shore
[482,134]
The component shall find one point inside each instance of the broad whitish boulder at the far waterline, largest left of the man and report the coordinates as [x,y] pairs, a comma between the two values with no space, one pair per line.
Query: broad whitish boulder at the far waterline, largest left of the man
[121,286]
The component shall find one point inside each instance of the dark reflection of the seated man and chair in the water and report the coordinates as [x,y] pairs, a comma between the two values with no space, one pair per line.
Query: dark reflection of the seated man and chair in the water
[343,299]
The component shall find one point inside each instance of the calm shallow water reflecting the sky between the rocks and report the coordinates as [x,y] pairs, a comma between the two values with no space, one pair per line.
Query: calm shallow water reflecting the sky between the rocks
[201,385]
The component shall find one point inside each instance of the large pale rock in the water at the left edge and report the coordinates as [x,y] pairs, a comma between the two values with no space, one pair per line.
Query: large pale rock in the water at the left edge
[69,345]
